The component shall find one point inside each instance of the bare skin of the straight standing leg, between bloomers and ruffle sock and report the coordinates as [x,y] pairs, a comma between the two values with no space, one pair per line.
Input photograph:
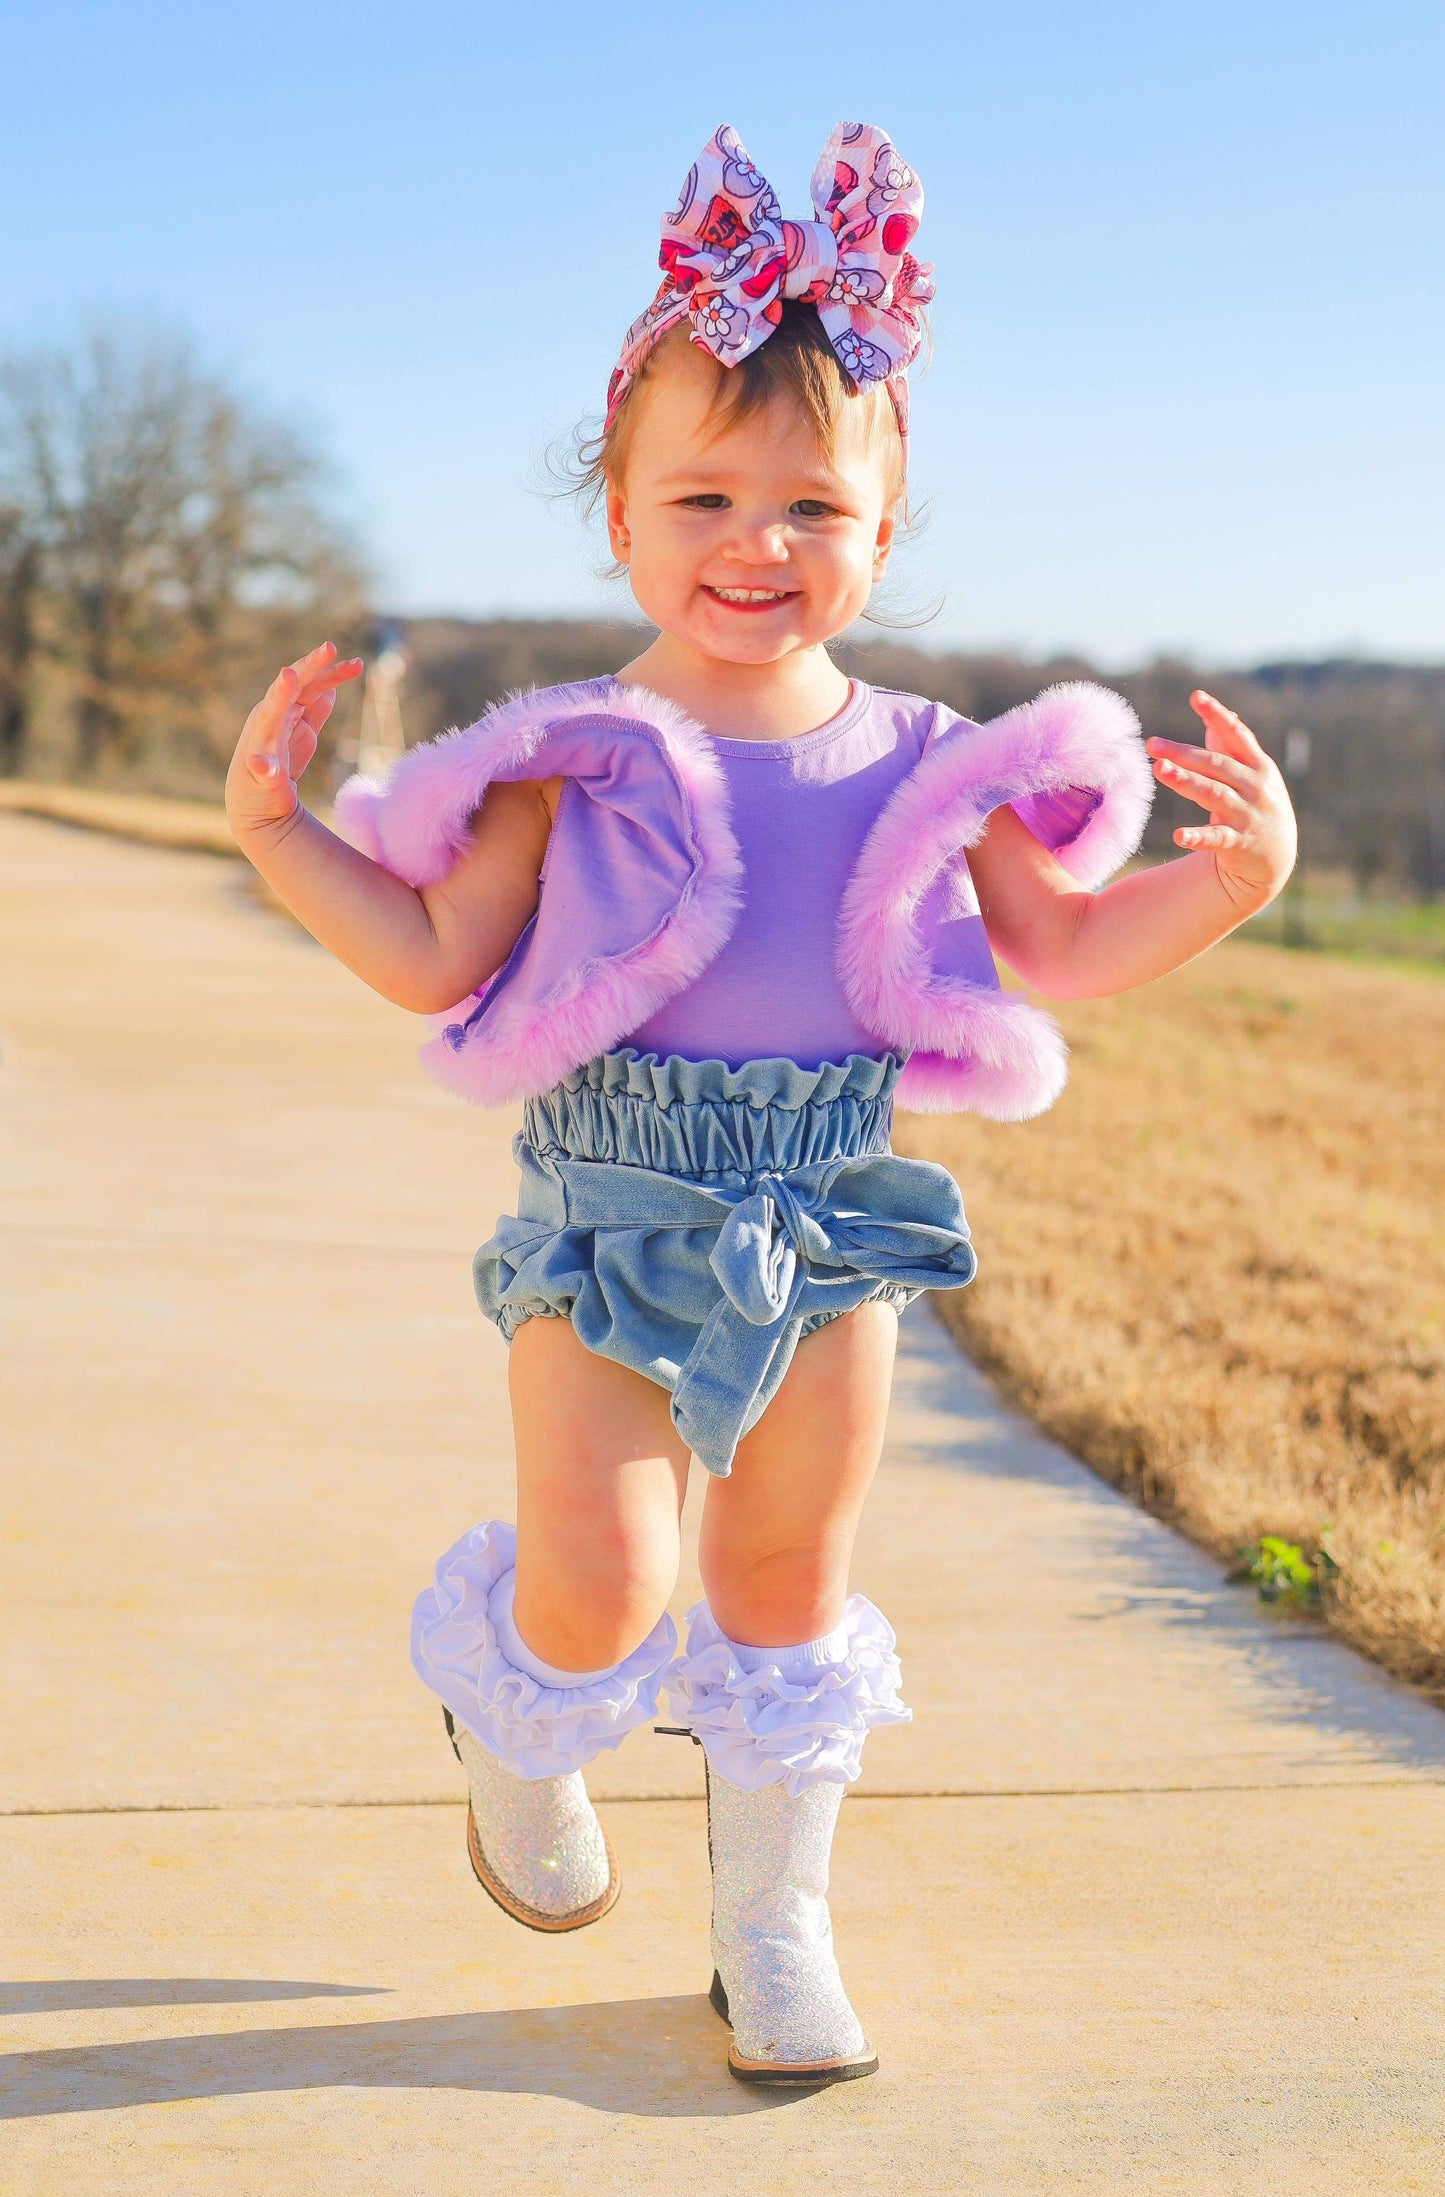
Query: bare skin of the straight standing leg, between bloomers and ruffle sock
[778,1532]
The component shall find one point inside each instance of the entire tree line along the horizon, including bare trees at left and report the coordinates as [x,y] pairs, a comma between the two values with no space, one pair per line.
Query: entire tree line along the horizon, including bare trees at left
[166,544]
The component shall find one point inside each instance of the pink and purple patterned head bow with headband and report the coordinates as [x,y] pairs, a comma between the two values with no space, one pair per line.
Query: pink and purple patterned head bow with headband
[730,260]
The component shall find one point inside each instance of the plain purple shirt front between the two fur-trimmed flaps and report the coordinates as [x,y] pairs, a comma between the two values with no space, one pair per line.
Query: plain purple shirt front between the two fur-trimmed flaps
[800,812]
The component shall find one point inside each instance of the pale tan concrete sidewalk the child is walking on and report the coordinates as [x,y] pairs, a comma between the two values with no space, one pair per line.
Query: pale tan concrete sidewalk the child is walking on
[1145,1899]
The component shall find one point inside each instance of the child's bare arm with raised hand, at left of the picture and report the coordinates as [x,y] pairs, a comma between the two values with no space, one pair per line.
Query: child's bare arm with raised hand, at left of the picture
[423,950]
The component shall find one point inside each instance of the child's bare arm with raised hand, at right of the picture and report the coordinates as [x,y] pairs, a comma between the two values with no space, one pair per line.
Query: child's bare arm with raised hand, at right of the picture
[1084,946]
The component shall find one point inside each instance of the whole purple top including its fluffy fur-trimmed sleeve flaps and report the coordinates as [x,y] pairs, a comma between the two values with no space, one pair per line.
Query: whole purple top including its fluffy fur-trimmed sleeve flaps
[645,882]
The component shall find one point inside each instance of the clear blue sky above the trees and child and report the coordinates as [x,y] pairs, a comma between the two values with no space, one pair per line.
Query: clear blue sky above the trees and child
[1189,331]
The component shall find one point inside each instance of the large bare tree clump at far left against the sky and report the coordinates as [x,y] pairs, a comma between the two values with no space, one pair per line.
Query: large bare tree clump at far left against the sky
[179,537]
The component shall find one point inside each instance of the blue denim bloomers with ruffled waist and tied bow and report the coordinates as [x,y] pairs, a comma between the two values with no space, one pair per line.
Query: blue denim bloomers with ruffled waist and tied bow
[697,1220]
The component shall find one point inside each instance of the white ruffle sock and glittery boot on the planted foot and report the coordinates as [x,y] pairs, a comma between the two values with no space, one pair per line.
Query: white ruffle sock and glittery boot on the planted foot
[783,1732]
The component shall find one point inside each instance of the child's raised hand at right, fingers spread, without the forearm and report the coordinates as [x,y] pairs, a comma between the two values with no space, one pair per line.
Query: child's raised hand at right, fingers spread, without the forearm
[1251,832]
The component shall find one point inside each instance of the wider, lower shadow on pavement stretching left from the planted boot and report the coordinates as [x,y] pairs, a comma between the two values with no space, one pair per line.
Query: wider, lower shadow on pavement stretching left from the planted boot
[656,2057]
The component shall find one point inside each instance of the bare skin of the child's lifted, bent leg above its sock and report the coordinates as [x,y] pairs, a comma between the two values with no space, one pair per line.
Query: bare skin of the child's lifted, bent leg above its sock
[601,1480]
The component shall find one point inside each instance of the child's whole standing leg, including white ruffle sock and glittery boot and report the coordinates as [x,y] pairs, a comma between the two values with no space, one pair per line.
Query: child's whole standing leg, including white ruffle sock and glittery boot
[785,1699]
